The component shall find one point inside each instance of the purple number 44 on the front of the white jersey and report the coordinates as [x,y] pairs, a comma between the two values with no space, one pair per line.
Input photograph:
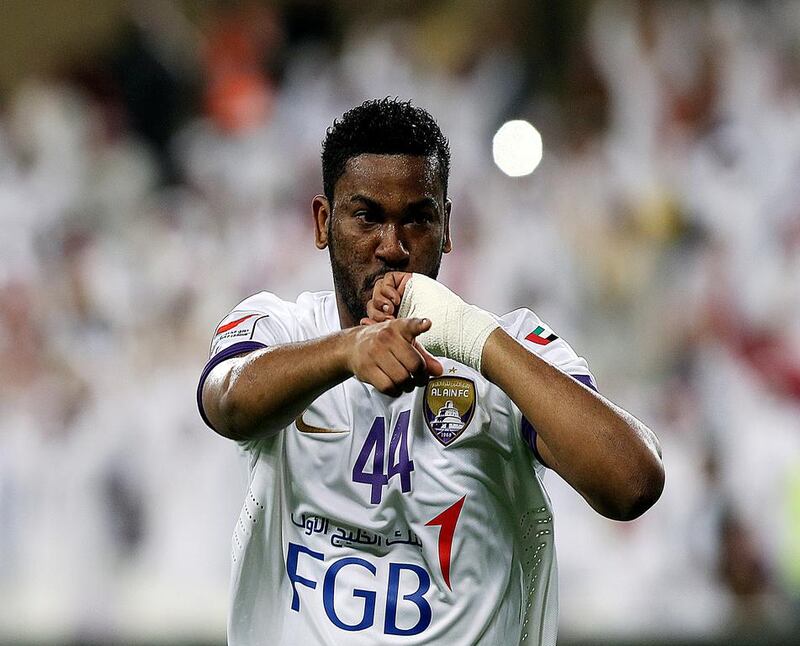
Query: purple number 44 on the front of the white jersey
[375,444]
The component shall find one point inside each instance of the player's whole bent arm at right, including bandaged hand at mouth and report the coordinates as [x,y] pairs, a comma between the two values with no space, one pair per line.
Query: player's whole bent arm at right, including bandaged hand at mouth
[608,455]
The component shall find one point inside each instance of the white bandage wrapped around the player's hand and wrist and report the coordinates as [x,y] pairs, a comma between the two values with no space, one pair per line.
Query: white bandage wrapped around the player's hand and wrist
[458,331]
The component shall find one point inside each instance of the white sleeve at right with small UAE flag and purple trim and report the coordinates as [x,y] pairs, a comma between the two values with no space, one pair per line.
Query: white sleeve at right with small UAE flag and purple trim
[540,339]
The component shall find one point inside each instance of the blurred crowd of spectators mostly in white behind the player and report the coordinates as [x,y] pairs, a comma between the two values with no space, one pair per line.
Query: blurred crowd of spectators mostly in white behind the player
[147,188]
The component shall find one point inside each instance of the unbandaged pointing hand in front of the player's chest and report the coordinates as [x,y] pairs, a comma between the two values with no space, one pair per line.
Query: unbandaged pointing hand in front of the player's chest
[387,356]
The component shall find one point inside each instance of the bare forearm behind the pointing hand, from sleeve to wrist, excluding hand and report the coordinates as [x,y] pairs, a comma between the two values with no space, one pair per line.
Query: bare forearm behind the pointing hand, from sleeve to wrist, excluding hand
[258,394]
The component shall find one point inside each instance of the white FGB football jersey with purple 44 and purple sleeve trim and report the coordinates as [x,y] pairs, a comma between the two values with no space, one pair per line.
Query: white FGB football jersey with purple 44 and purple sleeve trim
[418,519]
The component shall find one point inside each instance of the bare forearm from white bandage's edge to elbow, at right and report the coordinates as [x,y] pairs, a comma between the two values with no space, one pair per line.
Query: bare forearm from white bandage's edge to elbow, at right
[605,453]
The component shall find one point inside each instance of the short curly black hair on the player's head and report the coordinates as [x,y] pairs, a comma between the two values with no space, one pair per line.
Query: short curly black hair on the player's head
[386,127]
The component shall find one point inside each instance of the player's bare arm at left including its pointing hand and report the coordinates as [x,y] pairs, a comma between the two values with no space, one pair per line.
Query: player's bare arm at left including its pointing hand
[258,394]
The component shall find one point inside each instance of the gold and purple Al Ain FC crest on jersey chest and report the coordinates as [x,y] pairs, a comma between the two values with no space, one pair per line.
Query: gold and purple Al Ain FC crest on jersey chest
[448,407]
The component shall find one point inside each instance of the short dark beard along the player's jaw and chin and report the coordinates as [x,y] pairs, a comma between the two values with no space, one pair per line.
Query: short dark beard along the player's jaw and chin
[355,291]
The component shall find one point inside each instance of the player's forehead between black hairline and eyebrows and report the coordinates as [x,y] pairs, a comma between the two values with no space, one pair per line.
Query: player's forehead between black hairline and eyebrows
[390,178]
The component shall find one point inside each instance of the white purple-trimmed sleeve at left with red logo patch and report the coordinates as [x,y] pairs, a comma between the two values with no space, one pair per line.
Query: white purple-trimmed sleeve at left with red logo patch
[260,321]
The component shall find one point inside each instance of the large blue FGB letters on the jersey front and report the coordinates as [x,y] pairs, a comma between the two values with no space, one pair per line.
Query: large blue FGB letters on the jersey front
[351,607]
